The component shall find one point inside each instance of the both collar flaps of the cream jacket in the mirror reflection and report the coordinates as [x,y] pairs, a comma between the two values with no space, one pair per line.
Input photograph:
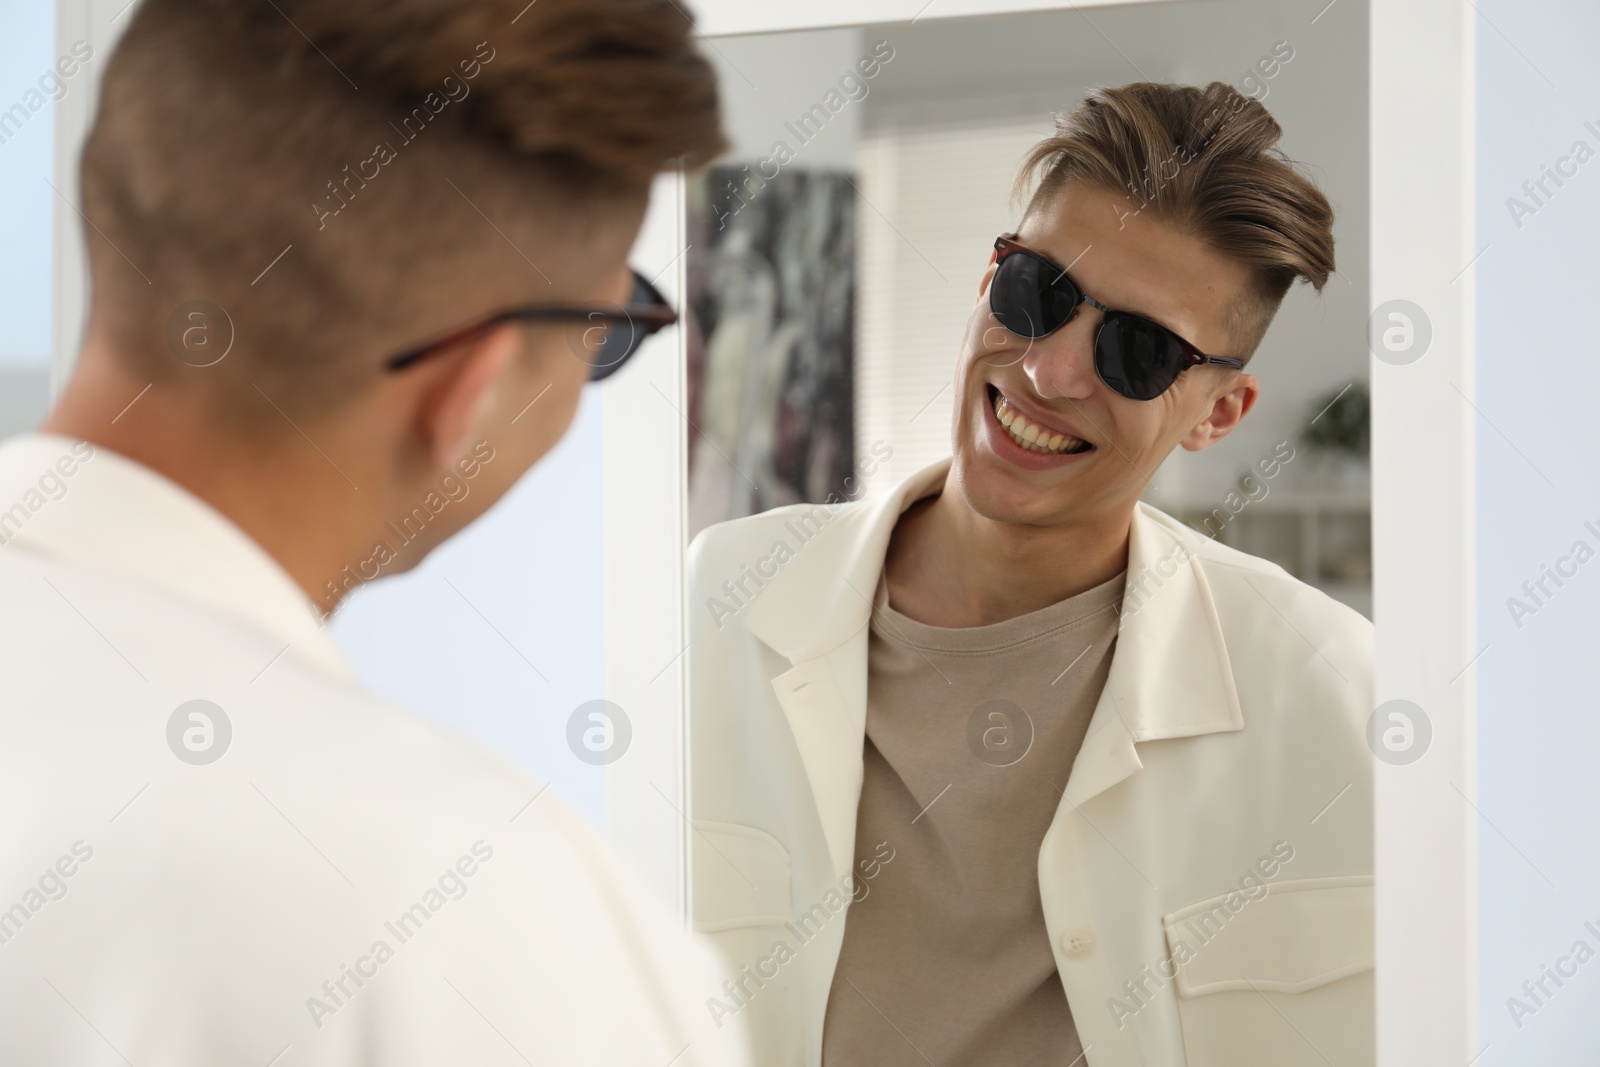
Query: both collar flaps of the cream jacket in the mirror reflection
[1170,676]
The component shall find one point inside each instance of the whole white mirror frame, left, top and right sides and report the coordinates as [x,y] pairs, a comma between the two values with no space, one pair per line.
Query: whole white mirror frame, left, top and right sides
[1422,127]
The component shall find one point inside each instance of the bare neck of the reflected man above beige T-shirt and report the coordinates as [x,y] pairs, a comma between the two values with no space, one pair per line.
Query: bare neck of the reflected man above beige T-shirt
[951,567]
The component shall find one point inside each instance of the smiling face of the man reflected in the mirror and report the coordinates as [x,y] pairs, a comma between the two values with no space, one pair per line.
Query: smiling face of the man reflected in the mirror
[1129,263]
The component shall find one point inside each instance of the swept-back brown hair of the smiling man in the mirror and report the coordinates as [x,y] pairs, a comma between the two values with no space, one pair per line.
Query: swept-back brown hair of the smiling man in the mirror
[1207,164]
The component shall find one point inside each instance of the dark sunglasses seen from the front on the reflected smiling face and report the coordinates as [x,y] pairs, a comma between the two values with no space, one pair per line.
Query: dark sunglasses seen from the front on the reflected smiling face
[1137,358]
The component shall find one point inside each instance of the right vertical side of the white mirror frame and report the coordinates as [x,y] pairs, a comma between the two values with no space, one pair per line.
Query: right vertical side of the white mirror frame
[1425,548]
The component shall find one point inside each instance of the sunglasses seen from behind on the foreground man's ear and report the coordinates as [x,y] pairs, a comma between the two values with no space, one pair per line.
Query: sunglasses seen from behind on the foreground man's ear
[606,345]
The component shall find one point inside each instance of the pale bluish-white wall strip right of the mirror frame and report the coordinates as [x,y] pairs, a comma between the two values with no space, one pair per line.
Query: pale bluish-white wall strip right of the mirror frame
[1538,489]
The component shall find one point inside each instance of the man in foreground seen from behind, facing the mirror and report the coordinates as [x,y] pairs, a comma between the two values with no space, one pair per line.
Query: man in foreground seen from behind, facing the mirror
[346,260]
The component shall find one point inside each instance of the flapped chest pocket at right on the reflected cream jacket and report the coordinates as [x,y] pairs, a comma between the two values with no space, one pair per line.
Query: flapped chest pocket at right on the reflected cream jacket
[1281,981]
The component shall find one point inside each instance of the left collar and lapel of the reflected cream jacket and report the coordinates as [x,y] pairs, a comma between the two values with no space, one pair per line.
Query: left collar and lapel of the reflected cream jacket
[815,613]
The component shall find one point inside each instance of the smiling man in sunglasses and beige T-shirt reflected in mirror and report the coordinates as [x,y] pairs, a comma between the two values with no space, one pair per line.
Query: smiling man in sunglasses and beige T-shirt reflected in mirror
[1006,767]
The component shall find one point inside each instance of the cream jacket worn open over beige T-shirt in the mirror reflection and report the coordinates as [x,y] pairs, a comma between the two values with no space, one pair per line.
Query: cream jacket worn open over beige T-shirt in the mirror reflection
[1207,879]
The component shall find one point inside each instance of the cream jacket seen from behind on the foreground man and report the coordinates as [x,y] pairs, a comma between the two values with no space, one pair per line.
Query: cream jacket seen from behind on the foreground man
[343,885]
